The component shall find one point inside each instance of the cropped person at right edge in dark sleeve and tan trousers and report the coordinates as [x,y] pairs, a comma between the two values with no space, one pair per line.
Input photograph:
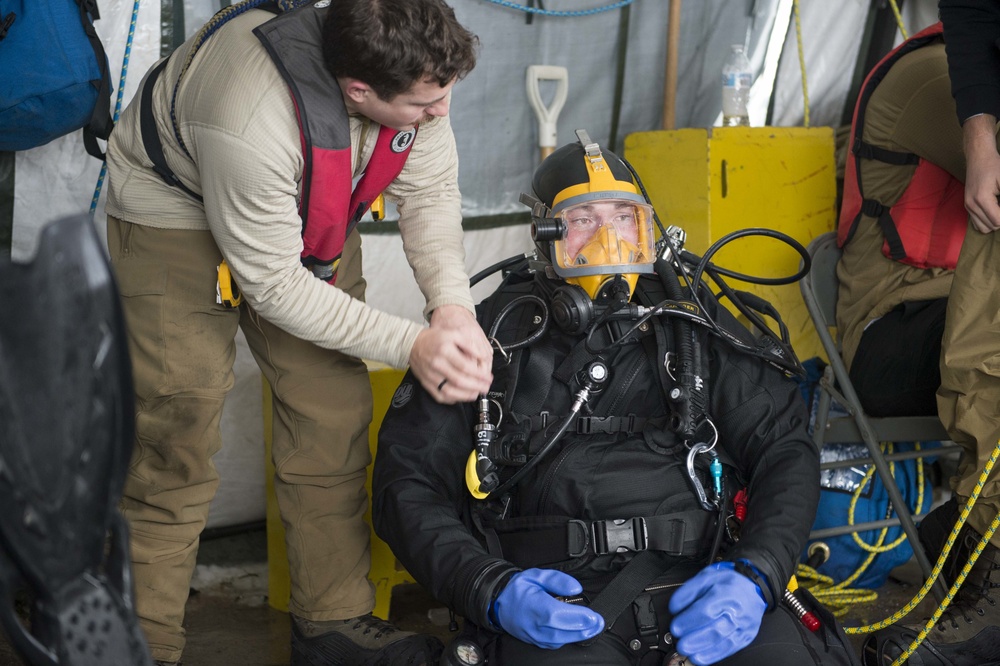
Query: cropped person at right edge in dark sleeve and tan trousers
[967,634]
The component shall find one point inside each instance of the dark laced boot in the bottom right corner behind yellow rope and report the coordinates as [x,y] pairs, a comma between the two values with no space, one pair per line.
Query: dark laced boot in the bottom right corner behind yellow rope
[968,633]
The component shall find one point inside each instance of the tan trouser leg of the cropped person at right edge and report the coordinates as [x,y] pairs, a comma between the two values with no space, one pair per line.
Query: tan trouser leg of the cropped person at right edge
[969,397]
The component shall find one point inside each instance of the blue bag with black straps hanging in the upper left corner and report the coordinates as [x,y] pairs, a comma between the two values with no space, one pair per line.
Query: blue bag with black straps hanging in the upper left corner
[55,74]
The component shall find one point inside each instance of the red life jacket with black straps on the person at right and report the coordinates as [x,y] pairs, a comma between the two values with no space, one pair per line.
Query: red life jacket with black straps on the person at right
[926,227]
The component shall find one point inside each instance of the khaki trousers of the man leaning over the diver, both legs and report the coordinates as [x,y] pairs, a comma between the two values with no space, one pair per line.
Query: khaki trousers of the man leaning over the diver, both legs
[182,347]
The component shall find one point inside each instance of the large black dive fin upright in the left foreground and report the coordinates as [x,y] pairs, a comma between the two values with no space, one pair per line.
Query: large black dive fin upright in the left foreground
[66,432]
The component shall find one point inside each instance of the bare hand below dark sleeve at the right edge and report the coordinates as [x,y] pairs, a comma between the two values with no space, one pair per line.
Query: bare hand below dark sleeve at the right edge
[982,172]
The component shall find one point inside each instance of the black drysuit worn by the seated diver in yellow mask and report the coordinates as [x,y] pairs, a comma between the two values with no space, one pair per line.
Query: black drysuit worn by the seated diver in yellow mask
[620,461]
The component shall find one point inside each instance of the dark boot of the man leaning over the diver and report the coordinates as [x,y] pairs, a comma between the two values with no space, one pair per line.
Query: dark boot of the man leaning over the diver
[361,641]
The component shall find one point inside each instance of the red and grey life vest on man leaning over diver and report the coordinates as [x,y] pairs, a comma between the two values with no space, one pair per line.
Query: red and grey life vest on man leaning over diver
[328,207]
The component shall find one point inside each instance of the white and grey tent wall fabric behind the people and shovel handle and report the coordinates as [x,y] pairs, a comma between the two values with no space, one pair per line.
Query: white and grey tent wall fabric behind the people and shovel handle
[496,130]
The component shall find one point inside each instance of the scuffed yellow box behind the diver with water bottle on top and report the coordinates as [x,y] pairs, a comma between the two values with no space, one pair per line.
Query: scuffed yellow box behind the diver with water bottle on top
[712,182]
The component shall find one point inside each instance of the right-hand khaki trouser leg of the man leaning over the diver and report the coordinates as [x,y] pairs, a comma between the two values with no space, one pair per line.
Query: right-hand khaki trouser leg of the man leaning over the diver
[322,408]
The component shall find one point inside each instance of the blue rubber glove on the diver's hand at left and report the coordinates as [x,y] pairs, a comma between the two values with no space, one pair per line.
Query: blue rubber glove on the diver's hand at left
[526,610]
